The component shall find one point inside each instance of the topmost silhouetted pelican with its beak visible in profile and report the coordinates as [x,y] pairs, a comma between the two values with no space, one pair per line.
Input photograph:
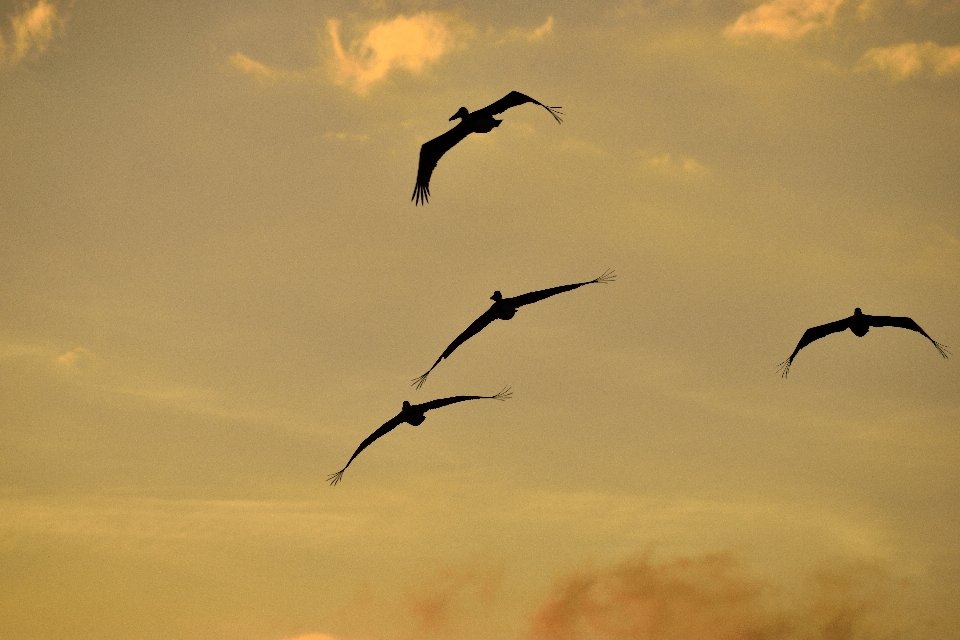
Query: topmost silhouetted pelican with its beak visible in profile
[480,121]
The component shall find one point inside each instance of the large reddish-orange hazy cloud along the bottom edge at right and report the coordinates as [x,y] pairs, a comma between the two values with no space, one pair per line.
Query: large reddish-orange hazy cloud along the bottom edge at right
[713,597]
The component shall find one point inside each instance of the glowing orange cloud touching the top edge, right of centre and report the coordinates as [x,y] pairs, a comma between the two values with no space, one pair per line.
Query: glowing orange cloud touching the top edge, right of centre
[784,19]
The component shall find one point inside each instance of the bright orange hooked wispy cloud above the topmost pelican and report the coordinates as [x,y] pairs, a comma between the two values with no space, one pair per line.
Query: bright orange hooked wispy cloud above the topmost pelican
[401,43]
